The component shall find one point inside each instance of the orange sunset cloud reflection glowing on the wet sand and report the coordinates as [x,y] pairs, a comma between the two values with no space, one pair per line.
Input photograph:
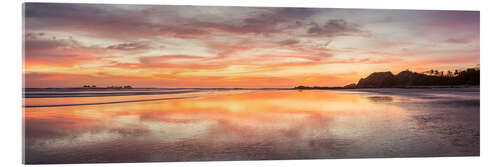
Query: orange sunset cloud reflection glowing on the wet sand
[258,125]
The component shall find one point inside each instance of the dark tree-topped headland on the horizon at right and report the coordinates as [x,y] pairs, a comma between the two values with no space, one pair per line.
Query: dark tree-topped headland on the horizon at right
[409,79]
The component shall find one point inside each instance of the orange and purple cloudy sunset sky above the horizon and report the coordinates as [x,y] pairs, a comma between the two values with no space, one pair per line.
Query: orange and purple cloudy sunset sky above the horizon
[71,45]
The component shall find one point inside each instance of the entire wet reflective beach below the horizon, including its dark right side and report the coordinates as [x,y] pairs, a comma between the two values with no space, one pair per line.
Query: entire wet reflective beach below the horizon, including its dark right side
[253,124]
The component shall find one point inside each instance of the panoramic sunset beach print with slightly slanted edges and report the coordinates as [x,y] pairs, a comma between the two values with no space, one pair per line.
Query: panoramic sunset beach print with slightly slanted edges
[111,83]
